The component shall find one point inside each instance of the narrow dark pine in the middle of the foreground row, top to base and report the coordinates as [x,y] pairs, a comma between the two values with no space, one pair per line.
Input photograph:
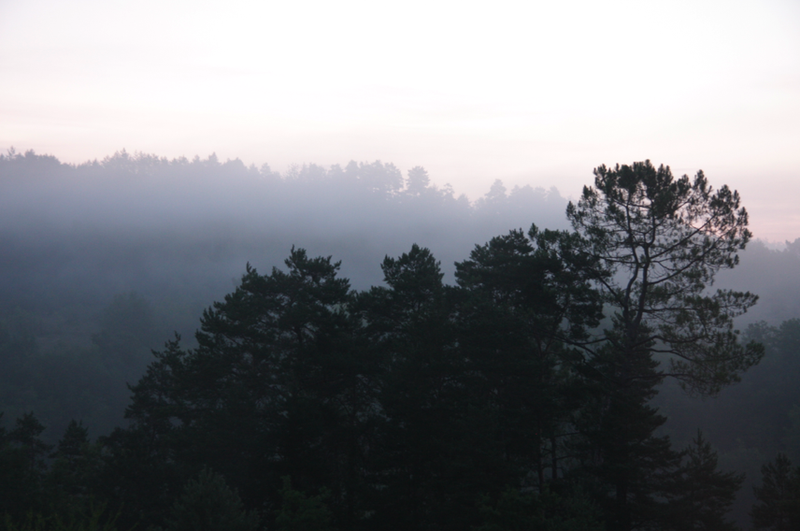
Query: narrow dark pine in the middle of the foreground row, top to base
[428,450]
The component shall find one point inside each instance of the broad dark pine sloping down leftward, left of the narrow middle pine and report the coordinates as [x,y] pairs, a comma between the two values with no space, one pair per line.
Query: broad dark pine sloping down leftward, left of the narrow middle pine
[277,384]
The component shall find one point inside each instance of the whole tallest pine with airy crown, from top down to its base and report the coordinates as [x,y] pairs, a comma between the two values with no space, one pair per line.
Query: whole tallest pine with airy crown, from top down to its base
[658,242]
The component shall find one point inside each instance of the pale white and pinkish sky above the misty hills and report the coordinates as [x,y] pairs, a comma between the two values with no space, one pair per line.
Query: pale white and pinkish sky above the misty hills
[529,92]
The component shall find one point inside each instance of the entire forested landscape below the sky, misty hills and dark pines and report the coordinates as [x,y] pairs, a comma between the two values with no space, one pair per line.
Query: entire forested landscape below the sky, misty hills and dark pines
[417,362]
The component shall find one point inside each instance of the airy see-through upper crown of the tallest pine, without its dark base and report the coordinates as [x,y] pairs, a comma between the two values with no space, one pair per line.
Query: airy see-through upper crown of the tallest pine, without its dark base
[661,241]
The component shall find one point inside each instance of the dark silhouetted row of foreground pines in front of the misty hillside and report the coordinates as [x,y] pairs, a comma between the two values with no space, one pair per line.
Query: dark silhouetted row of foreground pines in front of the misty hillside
[518,398]
